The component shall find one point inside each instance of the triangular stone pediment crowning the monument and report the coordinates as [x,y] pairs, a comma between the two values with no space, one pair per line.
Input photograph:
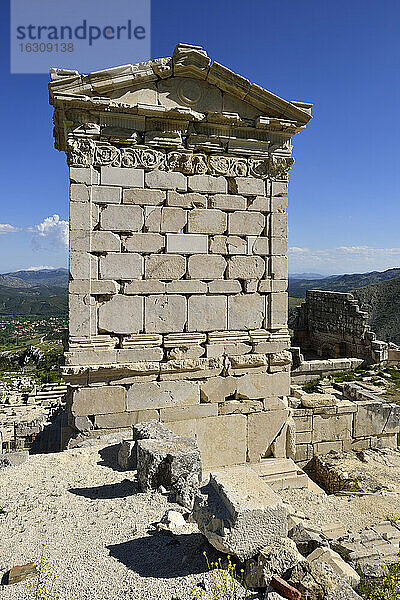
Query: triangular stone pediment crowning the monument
[188,83]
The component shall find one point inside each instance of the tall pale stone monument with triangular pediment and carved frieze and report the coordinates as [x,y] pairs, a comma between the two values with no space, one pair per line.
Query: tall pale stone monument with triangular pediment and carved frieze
[178,239]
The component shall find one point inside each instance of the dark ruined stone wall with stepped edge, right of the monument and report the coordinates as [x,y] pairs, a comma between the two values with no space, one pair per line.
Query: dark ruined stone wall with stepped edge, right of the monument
[332,325]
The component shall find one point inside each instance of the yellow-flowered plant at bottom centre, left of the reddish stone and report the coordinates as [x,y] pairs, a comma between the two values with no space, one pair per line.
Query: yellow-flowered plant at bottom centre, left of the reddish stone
[224,583]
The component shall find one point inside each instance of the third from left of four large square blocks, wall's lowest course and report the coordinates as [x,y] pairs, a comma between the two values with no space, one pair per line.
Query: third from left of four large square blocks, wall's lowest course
[207,313]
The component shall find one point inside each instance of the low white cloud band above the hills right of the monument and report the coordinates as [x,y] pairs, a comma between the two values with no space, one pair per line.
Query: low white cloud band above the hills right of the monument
[344,259]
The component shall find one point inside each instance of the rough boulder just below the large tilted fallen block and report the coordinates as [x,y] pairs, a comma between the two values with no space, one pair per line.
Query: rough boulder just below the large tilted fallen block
[275,559]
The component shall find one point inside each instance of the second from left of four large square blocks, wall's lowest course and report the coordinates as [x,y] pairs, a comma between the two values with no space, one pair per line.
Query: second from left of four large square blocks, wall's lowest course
[165,314]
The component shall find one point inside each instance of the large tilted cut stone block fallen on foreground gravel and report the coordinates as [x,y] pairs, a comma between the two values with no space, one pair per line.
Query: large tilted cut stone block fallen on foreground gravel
[238,513]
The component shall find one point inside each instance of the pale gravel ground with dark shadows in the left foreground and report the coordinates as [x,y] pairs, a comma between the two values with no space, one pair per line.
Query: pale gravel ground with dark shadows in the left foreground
[96,527]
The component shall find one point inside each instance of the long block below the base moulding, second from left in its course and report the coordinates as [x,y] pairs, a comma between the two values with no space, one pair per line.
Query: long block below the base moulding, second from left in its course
[162,394]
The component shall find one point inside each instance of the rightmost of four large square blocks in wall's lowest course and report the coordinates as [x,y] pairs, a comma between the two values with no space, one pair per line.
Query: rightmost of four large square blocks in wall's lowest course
[246,311]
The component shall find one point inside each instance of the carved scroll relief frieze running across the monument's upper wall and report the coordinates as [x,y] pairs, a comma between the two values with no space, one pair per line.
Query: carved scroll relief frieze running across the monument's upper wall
[83,152]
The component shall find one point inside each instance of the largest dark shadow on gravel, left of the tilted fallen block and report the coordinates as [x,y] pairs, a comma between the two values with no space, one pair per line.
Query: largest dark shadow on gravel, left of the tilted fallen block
[163,556]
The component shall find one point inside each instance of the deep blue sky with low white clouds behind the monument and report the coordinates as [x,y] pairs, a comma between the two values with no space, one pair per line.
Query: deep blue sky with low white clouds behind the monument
[344,192]
